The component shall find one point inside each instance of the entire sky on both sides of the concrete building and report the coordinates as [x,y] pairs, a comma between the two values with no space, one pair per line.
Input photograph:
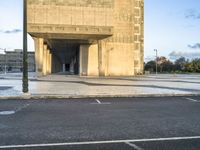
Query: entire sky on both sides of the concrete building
[171,26]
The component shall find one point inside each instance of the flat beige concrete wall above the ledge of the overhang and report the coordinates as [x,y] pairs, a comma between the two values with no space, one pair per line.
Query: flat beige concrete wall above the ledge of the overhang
[71,12]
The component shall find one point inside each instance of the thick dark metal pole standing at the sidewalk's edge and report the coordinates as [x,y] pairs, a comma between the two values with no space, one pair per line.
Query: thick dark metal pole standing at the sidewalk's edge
[25,58]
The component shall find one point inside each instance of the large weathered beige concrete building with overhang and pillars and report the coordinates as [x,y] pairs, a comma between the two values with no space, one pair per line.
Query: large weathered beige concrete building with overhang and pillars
[87,37]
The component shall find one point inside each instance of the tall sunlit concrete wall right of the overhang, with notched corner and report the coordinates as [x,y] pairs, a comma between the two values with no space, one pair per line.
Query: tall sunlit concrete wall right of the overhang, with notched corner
[125,46]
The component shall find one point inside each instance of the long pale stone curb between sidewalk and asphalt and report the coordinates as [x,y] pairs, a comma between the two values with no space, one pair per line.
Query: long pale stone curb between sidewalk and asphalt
[37,96]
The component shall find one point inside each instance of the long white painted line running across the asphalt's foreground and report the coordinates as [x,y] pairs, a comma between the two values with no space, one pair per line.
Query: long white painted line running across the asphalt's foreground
[99,142]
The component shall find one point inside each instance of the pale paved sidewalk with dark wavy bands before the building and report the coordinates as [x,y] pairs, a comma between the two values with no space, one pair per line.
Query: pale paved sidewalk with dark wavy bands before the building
[66,86]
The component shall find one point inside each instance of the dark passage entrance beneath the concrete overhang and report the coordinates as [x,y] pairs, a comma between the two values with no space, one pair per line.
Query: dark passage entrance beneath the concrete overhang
[66,55]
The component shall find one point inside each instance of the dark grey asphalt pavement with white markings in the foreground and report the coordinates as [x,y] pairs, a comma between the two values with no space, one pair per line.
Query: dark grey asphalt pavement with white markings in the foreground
[159,123]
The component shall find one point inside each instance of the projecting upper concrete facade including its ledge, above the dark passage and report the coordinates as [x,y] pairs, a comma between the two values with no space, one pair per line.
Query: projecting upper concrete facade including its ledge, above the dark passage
[69,18]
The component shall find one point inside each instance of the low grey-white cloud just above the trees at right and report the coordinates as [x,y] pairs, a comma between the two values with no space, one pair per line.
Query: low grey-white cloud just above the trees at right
[188,55]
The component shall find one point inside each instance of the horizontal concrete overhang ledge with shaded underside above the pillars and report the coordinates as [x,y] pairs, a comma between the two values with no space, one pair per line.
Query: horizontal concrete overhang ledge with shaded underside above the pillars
[52,31]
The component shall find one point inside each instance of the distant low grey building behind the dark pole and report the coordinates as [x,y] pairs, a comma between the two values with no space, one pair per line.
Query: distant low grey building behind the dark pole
[12,61]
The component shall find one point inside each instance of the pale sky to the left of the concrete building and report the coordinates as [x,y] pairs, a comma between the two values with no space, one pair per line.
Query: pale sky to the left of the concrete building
[11,25]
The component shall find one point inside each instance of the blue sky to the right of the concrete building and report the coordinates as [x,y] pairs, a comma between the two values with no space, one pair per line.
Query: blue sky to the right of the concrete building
[172,25]
